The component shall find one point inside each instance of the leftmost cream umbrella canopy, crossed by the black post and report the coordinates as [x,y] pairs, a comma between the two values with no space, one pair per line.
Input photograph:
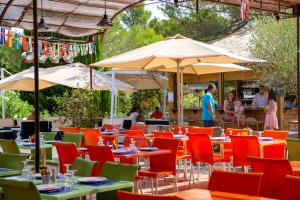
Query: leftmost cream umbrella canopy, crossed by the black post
[24,81]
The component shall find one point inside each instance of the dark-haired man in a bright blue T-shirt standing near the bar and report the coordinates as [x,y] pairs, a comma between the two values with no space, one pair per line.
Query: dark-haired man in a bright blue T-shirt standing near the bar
[208,107]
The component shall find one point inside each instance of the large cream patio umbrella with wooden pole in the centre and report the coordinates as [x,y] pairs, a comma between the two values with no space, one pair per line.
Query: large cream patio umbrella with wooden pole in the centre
[175,52]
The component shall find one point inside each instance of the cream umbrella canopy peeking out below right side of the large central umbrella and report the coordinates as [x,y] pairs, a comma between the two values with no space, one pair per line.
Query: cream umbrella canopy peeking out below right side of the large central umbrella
[208,68]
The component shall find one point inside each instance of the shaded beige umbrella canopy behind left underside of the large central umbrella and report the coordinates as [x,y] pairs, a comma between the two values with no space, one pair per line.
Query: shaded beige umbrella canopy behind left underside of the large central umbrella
[141,80]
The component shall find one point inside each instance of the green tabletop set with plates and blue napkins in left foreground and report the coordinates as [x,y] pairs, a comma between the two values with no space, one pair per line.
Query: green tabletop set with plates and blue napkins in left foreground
[81,190]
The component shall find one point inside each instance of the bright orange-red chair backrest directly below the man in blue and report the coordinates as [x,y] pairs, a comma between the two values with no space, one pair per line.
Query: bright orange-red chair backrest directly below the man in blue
[201,148]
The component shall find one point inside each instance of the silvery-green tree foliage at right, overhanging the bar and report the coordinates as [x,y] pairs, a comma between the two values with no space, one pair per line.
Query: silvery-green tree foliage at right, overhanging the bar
[275,42]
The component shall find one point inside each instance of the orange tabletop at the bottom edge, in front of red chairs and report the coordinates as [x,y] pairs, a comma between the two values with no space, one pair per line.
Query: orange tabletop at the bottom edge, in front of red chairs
[202,194]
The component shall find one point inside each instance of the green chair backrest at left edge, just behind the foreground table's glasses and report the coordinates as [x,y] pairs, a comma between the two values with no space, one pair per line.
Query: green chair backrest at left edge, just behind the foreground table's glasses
[12,161]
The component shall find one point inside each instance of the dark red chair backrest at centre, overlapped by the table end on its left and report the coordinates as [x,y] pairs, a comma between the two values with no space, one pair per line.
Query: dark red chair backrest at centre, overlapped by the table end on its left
[168,160]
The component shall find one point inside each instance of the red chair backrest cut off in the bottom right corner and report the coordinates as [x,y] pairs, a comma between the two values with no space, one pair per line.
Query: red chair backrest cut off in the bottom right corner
[290,188]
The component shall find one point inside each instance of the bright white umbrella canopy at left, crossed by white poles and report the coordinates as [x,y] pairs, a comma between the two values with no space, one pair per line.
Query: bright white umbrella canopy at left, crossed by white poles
[77,75]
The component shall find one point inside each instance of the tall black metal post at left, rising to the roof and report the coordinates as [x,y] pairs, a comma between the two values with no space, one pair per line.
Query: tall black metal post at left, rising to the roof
[36,88]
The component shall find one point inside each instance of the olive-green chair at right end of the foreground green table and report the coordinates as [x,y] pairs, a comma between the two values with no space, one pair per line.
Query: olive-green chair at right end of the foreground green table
[117,171]
